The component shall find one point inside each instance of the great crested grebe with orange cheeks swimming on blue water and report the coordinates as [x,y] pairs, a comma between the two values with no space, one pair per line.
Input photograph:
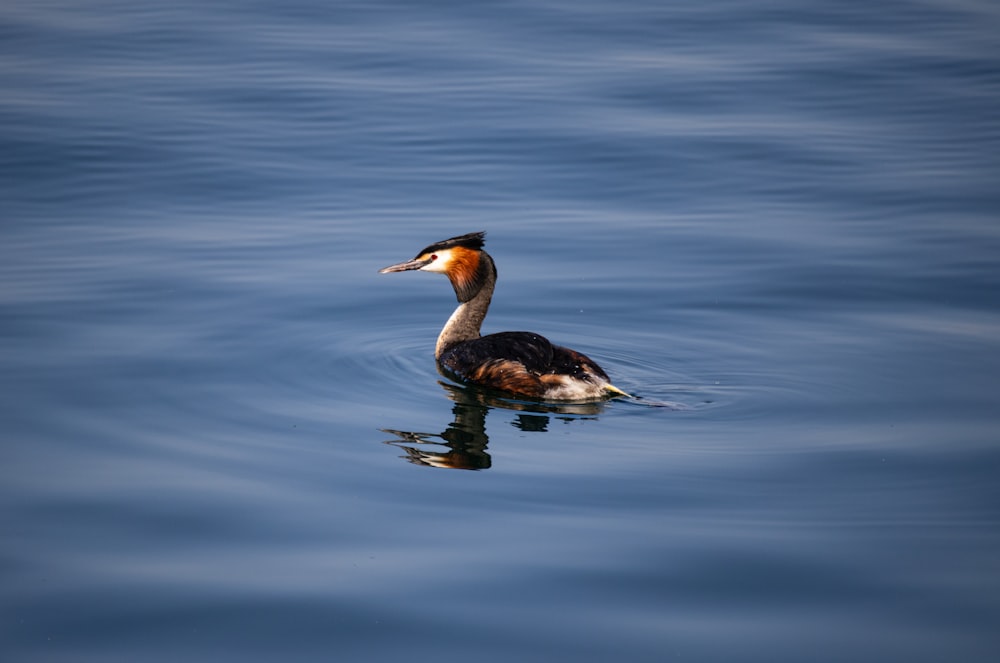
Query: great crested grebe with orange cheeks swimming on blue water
[522,363]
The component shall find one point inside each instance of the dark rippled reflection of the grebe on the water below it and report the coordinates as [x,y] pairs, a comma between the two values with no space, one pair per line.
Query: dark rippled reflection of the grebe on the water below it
[462,445]
